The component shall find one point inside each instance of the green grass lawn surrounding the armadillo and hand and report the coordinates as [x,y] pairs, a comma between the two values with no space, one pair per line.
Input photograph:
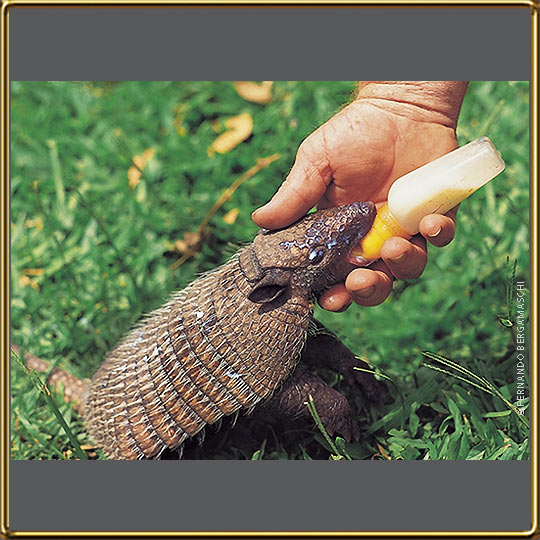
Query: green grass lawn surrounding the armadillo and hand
[90,255]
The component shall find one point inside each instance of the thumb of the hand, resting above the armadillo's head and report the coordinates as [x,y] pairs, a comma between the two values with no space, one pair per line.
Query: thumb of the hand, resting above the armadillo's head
[305,185]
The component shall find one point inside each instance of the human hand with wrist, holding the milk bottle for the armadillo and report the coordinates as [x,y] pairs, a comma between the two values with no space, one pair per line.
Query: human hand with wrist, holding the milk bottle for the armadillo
[389,130]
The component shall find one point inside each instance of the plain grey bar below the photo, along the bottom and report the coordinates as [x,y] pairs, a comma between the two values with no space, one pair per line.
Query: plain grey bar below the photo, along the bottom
[271,495]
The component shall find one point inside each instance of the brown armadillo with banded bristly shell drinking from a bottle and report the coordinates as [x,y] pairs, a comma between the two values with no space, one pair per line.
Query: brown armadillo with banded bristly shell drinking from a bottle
[228,342]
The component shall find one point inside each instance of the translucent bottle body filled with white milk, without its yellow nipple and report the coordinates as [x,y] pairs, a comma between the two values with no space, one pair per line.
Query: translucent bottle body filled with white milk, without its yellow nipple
[438,186]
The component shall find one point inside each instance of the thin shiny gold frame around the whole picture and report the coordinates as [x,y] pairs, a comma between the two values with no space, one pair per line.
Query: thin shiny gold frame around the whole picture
[8,5]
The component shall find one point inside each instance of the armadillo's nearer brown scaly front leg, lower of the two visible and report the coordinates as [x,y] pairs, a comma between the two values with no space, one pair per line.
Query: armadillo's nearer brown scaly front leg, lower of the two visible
[332,407]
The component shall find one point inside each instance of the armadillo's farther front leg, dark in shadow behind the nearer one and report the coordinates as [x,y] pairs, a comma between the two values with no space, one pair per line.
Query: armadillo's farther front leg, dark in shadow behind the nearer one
[324,349]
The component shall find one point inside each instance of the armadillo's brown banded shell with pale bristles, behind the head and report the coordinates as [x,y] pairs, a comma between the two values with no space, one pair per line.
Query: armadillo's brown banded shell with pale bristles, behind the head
[205,354]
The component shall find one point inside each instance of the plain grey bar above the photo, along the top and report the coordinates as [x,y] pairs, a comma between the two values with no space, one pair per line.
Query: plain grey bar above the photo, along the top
[270,43]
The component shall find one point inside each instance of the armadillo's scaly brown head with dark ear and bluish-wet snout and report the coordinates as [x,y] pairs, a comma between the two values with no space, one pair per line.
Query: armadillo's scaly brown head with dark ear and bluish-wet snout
[309,255]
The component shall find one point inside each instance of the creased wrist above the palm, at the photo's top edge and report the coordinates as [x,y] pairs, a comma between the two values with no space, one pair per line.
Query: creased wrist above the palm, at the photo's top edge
[433,101]
